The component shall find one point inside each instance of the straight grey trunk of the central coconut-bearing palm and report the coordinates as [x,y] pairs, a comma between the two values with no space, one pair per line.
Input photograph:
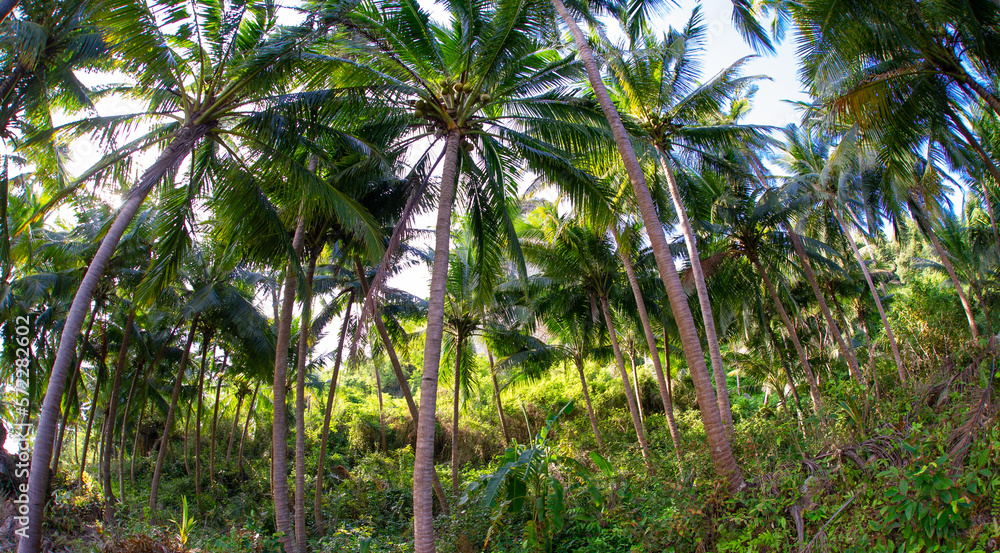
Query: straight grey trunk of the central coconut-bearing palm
[423,466]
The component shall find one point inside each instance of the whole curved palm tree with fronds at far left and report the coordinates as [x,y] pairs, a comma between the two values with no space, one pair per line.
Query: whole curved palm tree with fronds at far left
[228,68]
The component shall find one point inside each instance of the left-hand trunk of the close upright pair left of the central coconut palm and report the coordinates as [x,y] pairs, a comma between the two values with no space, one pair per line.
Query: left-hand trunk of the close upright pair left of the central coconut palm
[279,445]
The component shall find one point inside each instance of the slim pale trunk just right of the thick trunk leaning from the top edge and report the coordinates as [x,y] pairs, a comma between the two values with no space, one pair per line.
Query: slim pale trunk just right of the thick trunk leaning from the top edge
[708,318]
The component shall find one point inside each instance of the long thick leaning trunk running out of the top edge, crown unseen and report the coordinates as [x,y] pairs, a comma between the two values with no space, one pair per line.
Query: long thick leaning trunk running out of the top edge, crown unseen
[715,429]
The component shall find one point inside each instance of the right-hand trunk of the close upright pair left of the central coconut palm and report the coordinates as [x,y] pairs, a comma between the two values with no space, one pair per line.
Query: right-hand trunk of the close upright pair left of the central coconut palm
[300,402]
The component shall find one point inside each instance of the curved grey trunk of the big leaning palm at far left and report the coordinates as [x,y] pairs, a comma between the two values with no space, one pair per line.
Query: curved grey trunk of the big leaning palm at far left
[38,480]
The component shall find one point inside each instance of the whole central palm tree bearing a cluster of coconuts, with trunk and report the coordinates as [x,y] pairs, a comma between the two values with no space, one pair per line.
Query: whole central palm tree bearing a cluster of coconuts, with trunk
[488,87]
